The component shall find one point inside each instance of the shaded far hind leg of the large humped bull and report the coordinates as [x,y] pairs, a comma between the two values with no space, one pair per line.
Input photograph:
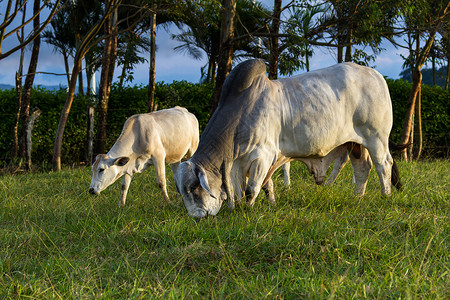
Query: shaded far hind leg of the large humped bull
[361,165]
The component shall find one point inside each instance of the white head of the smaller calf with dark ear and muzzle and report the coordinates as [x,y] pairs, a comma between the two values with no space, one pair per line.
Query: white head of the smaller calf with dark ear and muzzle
[105,171]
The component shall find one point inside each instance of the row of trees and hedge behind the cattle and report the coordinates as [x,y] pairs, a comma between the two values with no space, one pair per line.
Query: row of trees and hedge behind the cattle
[74,124]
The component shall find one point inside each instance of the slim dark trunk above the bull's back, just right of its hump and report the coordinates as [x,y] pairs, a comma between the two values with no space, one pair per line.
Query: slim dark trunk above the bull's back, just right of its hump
[274,40]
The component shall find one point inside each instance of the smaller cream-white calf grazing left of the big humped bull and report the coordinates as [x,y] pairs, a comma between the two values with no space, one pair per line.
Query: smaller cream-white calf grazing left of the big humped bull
[164,136]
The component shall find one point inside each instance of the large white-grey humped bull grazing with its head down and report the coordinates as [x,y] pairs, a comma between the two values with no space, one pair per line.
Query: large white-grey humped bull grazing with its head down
[261,124]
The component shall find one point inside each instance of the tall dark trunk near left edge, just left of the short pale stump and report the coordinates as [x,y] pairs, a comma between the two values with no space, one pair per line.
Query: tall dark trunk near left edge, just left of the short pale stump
[29,84]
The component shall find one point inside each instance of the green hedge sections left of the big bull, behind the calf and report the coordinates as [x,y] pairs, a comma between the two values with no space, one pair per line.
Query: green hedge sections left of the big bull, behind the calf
[124,102]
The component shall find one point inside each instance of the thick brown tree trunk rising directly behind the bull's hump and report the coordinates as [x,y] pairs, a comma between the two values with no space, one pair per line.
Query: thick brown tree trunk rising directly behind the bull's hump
[225,60]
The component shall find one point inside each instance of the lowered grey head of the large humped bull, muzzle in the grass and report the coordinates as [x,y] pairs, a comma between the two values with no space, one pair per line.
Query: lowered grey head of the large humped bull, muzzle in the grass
[201,190]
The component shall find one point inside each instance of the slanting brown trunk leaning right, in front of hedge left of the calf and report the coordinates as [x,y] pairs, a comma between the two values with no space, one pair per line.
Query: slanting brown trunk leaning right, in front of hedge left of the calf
[56,161]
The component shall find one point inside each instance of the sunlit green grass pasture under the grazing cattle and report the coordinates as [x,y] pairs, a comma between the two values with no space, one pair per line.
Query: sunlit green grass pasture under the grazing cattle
[57,241]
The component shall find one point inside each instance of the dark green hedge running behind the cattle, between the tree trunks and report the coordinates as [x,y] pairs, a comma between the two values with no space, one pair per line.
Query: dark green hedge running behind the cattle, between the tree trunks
[127,101]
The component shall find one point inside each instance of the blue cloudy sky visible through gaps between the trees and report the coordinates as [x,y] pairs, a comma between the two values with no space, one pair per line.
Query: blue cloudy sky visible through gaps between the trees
[172,65]
